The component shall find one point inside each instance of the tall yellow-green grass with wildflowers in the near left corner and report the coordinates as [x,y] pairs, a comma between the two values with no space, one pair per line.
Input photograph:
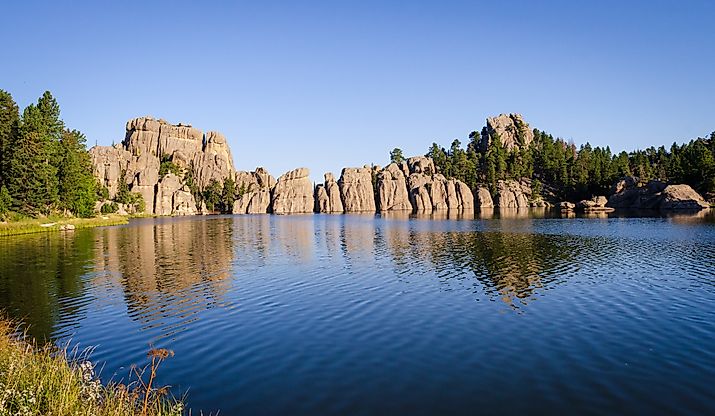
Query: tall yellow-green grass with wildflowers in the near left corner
[47,381]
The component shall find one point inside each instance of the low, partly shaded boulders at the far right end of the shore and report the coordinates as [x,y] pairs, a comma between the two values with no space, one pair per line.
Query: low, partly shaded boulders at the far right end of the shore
[631,193]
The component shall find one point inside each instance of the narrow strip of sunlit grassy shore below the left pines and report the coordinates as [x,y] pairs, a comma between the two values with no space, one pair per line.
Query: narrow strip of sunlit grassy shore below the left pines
[50,224]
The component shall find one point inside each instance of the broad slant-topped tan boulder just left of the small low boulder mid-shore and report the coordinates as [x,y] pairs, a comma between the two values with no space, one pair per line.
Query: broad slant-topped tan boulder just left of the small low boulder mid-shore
[293,193]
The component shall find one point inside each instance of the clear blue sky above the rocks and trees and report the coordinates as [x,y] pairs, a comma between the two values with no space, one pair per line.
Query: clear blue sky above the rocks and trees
[337,83]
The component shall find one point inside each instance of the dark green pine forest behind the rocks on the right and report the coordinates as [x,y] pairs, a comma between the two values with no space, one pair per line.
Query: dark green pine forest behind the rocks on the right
[574,173]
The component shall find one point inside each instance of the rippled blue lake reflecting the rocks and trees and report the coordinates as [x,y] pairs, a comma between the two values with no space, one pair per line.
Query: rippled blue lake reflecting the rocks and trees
[504,313]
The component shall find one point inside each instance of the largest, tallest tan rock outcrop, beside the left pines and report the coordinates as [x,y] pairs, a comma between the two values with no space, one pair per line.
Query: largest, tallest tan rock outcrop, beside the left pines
[146,145]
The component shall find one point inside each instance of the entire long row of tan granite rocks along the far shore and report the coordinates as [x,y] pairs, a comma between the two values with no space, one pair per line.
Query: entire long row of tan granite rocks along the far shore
[170,165]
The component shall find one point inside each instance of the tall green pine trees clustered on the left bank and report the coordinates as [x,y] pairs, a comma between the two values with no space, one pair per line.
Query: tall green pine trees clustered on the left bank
[44,166]
